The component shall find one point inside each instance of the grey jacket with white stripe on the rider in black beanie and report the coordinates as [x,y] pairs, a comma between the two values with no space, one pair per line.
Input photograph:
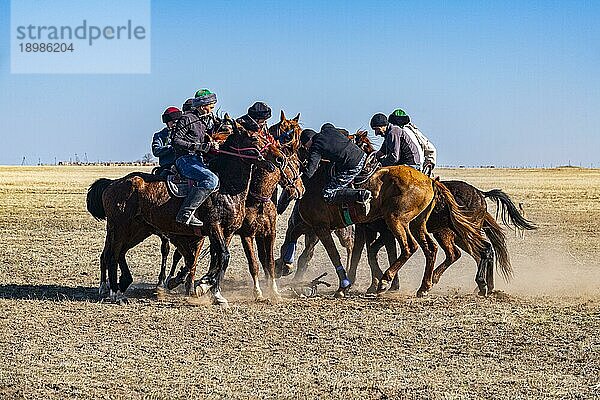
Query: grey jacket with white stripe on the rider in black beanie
[400,148]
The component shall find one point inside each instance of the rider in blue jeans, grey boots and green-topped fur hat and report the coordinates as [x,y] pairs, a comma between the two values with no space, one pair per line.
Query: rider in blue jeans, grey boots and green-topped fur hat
[191,138]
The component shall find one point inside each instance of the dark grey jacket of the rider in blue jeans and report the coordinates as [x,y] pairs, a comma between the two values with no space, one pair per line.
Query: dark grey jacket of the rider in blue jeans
[191,129]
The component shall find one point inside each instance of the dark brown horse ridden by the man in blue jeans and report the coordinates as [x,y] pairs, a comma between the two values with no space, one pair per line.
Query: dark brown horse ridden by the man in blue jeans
[138,201]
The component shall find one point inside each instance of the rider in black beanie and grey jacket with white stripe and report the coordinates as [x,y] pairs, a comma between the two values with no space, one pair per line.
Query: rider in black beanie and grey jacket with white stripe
[400,146]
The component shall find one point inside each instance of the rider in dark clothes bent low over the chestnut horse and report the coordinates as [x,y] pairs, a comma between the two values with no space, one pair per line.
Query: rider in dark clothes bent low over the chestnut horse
[347,157]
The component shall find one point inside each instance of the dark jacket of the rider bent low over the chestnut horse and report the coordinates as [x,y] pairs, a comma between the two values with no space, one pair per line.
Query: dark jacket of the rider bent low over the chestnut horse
[334,146]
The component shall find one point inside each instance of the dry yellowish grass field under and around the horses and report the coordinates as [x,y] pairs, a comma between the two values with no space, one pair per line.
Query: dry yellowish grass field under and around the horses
[538,337]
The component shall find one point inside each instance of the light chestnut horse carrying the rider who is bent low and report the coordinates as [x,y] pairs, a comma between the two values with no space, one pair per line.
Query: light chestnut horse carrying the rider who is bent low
[403,197]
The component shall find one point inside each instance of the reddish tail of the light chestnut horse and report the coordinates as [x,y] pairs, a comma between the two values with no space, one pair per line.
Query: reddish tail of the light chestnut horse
[461,224]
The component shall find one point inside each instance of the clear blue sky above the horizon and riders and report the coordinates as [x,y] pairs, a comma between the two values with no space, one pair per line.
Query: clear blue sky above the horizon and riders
[504,83]
